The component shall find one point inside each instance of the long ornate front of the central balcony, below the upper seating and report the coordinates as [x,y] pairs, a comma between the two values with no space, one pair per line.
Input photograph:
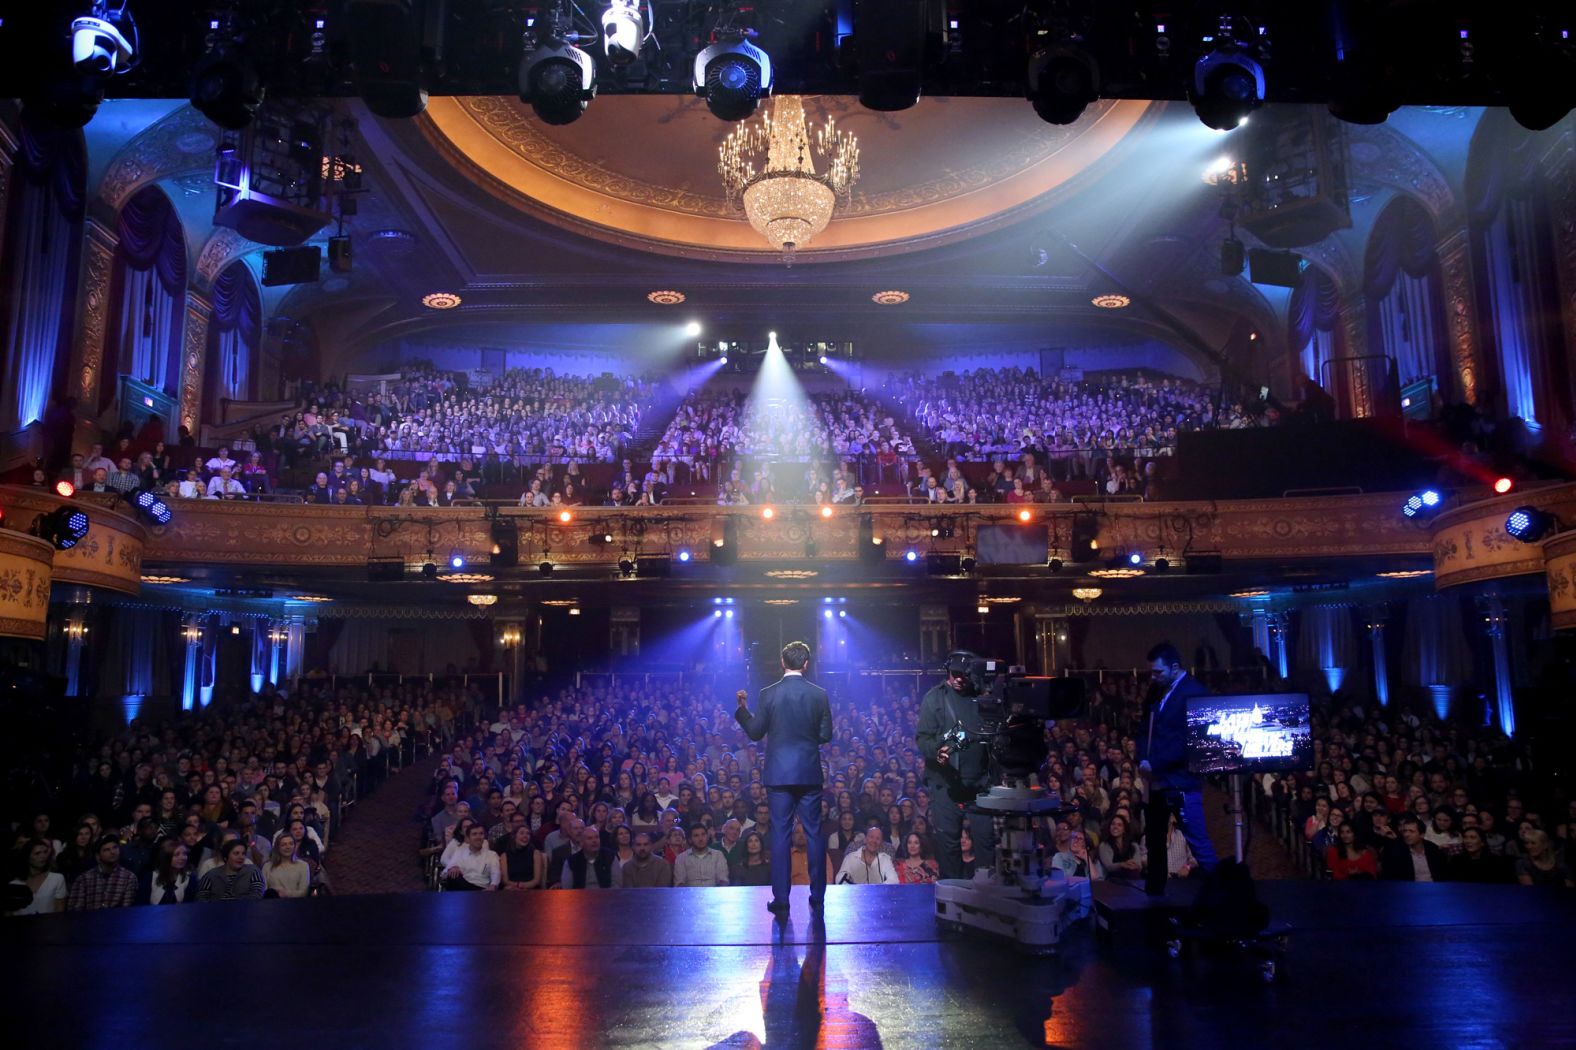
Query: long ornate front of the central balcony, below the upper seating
[295,535]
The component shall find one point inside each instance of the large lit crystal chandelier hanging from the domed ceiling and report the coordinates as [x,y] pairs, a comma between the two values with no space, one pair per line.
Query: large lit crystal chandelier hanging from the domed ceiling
[771,166]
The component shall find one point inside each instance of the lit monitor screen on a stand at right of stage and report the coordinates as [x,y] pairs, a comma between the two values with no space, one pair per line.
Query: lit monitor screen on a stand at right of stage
[1265,732]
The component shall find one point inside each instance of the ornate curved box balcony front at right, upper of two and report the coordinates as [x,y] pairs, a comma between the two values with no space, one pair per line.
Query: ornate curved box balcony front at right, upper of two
[1471,543]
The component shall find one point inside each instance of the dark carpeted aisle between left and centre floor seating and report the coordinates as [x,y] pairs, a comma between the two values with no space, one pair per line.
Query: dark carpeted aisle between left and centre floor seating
[376,852]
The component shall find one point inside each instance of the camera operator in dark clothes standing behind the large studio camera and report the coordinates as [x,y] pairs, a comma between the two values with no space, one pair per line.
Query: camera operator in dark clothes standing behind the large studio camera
[956,775]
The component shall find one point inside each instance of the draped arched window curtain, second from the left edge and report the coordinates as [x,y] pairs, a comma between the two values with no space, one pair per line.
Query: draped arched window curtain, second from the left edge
[151,267]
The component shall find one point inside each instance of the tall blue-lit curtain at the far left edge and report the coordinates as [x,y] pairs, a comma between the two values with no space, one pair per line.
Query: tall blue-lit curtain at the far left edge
[40,275]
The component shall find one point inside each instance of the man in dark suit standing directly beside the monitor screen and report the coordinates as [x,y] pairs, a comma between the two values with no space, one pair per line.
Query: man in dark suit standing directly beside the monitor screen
[1162,753]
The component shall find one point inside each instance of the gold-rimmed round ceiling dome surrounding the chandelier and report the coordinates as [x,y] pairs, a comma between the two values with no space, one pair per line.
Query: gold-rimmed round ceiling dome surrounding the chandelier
[642,171]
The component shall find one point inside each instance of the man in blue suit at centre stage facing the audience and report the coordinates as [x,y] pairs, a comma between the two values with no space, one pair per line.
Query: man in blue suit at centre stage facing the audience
[795,717]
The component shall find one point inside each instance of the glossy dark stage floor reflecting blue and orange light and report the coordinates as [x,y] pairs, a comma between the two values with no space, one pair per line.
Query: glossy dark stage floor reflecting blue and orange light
[1370,966]
